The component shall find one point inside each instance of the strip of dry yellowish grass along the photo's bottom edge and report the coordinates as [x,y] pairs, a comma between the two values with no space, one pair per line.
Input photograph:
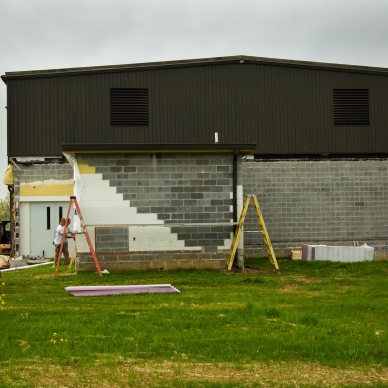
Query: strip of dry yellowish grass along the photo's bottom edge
[127,372]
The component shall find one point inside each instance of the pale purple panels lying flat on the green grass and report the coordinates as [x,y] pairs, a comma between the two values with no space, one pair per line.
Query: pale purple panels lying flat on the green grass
[116,290]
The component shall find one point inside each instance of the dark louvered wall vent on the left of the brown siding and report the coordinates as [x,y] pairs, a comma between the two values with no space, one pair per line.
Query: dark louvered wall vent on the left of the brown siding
[129,107]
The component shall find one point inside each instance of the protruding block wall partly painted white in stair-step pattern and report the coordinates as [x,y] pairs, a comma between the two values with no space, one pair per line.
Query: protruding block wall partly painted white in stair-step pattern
[129,200]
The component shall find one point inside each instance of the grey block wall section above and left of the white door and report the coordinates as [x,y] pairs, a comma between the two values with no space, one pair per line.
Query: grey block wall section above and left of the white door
[36,172]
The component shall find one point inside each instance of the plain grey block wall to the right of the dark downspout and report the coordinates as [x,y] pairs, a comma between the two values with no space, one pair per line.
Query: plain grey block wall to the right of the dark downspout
[333,202]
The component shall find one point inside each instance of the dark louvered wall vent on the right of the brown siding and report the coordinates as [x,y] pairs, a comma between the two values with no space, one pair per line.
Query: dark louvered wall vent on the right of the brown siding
[351,106]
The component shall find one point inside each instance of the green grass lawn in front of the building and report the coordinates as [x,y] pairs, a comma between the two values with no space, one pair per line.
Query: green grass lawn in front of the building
[315,324]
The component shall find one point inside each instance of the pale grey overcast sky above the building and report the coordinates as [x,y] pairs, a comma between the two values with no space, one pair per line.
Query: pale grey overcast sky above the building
[43,34]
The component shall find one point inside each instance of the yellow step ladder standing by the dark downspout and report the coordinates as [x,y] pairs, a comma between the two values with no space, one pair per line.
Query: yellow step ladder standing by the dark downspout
[239,229]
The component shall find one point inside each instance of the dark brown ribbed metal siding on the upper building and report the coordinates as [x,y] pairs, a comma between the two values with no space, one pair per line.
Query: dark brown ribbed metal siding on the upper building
[284,110]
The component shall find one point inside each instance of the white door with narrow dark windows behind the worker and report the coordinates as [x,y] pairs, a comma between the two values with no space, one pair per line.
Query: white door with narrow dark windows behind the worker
[44,220]
